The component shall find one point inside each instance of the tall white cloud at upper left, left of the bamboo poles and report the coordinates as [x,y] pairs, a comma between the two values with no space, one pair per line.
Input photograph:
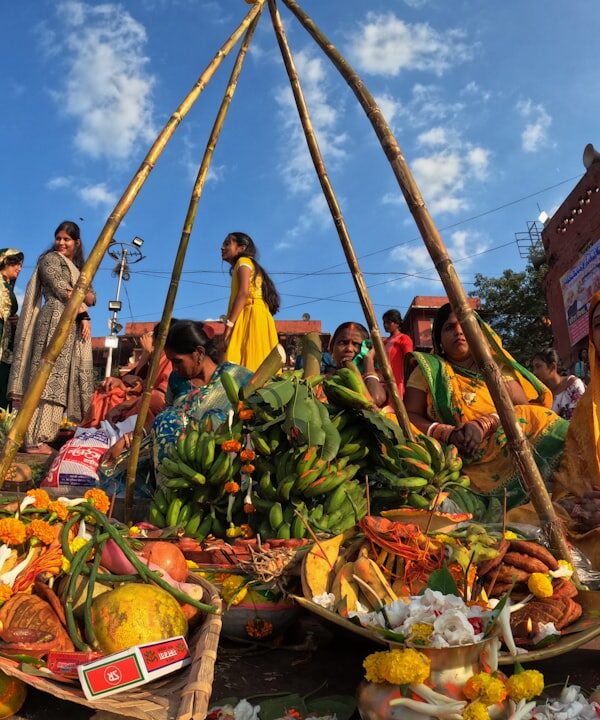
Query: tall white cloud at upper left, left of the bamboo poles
[107,89]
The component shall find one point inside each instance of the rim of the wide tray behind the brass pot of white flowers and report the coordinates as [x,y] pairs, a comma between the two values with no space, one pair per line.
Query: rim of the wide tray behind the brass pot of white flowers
[581,632]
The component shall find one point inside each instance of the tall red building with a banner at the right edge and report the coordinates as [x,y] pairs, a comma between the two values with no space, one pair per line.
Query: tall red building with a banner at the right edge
[572,250]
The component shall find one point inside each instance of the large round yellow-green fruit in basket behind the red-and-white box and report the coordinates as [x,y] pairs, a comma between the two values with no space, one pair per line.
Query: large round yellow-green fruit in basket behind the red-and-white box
[134,614]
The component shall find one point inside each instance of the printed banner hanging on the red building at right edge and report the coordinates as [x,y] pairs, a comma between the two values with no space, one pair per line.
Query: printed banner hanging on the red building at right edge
[578,286]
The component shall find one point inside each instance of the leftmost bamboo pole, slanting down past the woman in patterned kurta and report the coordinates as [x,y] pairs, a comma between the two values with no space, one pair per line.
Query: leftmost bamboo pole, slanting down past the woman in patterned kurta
[38,383]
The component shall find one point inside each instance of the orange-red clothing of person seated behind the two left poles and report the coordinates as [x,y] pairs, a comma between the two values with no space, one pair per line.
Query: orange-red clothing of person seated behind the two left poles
[124,400]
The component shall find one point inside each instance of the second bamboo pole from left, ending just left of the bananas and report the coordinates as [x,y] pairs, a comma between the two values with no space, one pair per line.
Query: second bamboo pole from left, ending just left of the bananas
[178,265]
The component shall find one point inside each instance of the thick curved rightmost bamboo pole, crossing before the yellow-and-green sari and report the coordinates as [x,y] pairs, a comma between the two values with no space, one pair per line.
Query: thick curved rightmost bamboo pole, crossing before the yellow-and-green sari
[517,442]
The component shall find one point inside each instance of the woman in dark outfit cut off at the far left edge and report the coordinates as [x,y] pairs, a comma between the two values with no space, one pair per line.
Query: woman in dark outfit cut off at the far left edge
[11,262]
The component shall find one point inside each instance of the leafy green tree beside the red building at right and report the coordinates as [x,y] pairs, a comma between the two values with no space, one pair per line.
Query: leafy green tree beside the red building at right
[515,306]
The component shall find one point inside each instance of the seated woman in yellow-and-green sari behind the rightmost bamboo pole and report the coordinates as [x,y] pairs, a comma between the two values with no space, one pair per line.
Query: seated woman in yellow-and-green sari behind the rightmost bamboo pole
[447,398]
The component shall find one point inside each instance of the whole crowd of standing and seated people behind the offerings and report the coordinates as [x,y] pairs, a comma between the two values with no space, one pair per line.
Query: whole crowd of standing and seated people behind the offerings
[444,391]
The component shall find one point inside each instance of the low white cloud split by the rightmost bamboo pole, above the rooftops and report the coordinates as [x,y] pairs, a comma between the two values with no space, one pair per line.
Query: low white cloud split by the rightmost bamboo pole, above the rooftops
[414,258]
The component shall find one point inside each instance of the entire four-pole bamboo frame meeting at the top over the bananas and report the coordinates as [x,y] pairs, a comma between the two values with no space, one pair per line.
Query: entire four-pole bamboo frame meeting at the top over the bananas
[516,440]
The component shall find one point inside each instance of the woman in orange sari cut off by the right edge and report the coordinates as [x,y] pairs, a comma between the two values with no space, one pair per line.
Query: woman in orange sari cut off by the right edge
[577,483]
